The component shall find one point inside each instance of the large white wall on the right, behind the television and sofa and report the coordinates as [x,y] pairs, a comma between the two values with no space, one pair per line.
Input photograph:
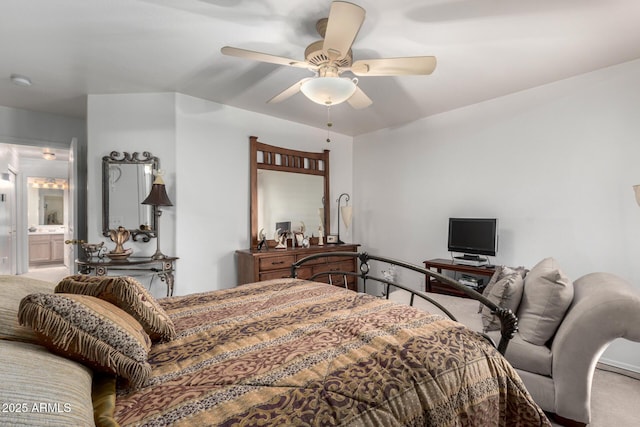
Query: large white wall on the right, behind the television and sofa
[555,164]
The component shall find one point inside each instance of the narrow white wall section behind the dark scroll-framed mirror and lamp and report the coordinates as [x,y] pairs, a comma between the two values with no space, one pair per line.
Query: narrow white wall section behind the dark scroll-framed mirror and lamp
[131,123]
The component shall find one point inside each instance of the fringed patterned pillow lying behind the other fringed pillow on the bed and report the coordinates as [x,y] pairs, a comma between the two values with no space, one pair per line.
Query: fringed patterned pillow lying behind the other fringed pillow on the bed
[128,294]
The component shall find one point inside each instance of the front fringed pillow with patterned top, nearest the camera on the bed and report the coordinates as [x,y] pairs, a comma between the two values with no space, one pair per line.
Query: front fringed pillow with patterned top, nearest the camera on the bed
[91,331]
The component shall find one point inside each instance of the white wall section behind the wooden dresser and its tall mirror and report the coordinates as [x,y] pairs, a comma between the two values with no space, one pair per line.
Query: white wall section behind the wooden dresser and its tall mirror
[213,184]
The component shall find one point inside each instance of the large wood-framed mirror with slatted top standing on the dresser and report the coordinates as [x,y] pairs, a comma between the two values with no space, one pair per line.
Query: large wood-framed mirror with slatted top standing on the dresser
[288,186]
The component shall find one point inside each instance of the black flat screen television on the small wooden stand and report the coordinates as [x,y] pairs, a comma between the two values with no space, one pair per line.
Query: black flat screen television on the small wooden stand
[476,236]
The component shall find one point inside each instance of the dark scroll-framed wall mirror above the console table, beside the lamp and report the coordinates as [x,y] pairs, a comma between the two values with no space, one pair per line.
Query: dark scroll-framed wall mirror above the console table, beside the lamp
[126,182]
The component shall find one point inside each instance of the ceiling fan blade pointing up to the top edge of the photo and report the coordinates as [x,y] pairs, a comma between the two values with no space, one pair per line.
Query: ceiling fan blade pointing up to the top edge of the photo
[345,20]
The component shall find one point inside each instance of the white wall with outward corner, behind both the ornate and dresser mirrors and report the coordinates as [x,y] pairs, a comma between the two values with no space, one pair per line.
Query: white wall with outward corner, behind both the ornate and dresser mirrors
[204,149]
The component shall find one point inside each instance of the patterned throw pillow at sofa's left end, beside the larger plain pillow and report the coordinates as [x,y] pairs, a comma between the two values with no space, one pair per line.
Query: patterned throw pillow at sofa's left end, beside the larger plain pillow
[506,292]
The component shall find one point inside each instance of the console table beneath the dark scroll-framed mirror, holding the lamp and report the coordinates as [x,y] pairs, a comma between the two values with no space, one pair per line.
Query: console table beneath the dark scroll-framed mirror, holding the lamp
[163,268]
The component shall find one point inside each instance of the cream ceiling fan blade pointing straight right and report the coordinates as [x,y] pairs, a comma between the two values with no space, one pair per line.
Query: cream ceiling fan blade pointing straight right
[395,66]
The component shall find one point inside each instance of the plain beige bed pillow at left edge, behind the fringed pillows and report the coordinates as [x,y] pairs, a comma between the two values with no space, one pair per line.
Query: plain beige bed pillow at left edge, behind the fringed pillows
[14,288]
